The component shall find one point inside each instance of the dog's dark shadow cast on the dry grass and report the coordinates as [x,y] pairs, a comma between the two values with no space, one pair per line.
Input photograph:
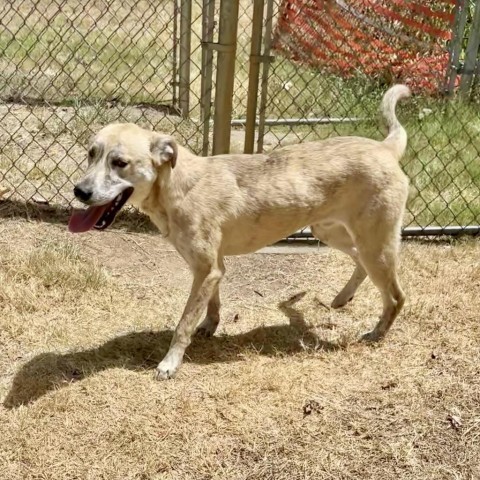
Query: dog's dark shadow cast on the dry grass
[144,350]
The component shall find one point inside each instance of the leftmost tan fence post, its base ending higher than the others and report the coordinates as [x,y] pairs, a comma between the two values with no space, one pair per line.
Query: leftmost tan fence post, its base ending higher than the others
[185,50]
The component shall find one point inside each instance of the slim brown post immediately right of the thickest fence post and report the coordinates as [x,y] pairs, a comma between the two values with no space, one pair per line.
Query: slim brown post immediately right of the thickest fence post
[253,75]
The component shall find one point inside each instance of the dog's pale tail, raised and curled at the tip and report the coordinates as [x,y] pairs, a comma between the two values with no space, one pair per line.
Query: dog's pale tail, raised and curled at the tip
[397,136]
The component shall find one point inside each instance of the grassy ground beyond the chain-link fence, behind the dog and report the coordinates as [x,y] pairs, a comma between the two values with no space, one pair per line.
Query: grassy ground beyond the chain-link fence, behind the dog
[95,63]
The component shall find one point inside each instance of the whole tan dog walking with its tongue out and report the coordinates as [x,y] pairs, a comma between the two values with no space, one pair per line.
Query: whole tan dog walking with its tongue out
[350,190]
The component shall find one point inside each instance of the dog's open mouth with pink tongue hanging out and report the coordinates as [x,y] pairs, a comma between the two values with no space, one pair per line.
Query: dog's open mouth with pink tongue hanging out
[99,217]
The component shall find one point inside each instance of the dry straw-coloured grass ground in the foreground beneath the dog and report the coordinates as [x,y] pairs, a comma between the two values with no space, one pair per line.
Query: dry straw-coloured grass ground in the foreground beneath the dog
[85,319]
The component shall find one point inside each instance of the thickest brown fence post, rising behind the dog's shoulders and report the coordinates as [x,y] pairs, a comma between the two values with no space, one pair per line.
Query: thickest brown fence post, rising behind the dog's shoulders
[227,42]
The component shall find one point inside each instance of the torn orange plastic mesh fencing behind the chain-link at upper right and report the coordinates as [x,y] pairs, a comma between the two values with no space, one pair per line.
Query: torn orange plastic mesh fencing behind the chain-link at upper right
[395,40]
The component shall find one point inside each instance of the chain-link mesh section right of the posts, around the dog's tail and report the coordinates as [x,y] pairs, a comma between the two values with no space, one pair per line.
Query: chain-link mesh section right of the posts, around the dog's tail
[334,60]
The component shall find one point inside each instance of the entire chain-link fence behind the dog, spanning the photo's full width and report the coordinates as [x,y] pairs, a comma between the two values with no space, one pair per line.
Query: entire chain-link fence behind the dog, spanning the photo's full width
[67,69]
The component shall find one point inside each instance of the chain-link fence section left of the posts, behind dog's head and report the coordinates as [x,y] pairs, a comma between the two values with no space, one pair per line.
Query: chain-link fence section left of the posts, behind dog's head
[68,68]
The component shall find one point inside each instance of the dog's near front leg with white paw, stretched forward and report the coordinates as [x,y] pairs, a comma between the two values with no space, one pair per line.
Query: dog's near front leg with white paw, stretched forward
[205,283]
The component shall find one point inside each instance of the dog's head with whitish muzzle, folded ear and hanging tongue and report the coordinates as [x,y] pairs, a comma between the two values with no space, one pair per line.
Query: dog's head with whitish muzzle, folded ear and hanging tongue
[124,161]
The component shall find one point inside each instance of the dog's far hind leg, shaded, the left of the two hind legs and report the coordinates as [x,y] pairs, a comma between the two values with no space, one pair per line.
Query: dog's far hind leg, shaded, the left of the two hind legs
[338,237]
